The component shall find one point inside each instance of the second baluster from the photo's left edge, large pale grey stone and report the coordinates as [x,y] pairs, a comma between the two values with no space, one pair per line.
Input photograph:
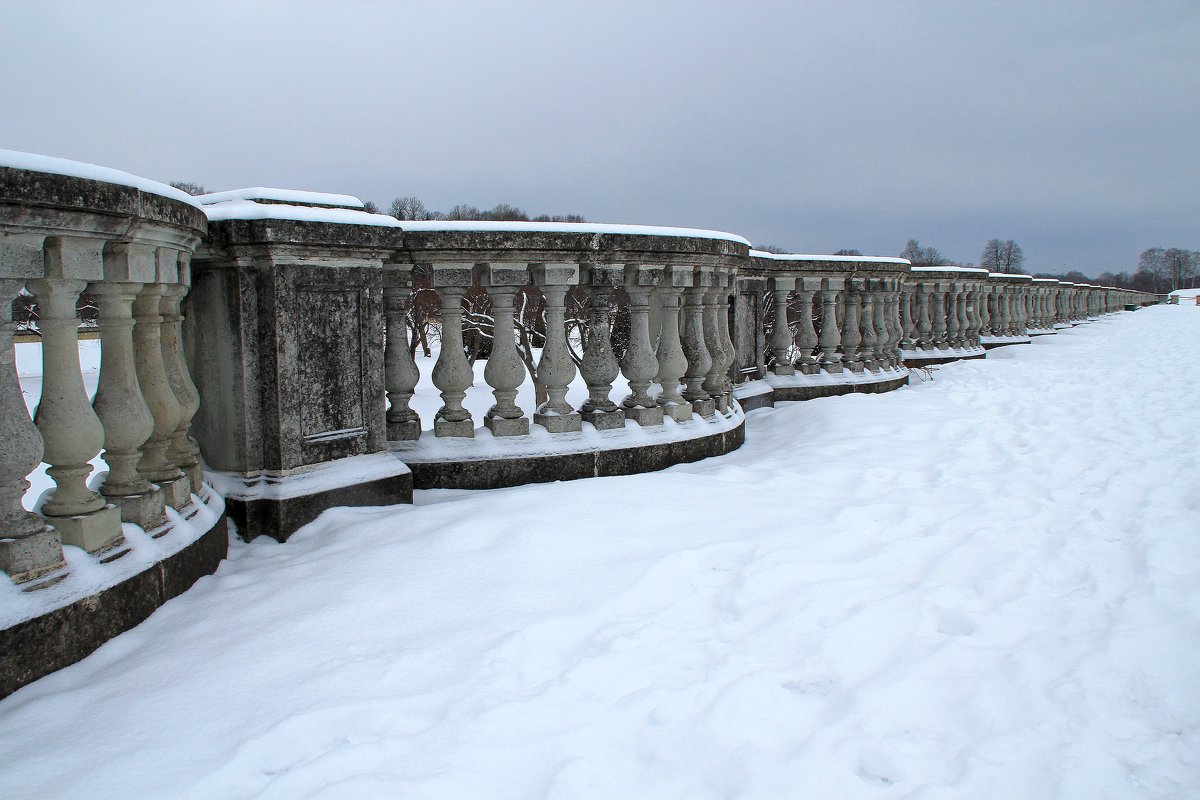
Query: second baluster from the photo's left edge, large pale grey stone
[71,432]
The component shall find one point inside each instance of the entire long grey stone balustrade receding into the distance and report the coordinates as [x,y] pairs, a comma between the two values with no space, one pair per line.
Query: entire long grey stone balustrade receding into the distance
[290,384]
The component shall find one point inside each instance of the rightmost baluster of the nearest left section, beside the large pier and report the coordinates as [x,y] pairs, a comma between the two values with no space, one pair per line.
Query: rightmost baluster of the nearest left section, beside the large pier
[182,450]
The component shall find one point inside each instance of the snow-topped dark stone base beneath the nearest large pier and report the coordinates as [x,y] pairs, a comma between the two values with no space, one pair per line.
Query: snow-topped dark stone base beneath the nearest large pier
[279,506]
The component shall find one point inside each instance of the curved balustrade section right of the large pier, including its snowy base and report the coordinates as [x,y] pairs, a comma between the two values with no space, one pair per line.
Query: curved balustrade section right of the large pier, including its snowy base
[657,396]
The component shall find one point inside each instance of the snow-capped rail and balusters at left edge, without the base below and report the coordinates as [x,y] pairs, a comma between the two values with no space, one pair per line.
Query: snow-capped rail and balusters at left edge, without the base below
[67,228]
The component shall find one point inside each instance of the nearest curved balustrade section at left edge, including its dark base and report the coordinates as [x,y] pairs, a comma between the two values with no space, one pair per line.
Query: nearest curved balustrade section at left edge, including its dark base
[67,230]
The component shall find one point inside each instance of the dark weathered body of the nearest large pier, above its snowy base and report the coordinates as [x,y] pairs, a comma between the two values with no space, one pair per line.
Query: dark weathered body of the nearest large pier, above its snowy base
[289,345]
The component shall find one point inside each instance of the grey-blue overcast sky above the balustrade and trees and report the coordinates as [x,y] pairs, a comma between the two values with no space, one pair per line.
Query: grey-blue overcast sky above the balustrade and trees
[1071,128]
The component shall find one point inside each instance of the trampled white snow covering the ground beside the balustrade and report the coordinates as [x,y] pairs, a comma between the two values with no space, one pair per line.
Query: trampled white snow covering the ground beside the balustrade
[986,586]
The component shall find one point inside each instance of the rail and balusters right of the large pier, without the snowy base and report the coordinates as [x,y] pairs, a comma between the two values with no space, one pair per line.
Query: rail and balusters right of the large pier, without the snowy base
[676,287]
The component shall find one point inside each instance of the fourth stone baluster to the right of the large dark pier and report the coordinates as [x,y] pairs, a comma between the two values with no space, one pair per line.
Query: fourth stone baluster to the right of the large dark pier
[556,371]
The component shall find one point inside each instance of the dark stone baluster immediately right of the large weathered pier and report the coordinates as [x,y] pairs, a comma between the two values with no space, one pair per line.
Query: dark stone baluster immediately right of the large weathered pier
[400,372]
